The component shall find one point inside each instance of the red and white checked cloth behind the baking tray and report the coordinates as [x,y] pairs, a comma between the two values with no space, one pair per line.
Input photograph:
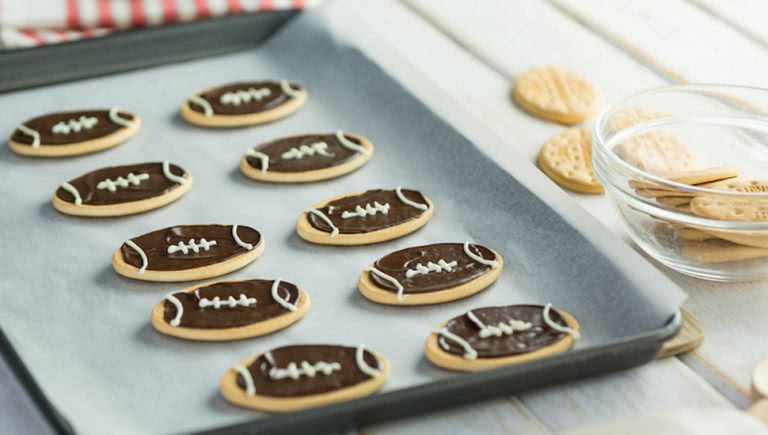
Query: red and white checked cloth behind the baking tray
[29,23]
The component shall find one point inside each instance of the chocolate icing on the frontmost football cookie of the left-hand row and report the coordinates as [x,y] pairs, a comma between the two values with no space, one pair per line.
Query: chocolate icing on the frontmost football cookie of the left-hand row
[349,375]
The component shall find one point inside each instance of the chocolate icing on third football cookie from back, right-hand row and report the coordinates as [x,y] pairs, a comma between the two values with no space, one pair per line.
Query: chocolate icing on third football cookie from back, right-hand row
[399,212]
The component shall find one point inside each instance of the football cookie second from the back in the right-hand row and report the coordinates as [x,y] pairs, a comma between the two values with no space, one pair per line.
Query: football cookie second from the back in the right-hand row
[305,158]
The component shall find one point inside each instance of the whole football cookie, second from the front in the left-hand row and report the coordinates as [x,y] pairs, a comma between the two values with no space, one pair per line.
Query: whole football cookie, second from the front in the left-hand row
[230,310]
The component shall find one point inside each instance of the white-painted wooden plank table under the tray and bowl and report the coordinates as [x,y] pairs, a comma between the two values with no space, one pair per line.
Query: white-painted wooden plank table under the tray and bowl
[472,51]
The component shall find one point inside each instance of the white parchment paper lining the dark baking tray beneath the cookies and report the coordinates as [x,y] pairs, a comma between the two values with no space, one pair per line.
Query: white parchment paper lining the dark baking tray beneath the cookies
[84,333]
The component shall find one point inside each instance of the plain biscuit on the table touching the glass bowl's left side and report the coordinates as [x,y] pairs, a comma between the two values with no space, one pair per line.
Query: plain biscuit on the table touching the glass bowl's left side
[567,160]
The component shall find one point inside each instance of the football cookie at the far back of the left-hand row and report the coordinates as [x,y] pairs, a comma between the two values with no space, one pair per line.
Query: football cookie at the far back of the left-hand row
[72,133]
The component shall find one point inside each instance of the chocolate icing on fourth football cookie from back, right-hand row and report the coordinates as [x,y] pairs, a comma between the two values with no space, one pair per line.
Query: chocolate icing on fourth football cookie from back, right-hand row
[397,263]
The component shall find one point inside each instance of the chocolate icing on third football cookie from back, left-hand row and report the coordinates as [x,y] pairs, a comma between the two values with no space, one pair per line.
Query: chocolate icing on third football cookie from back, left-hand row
[155,246]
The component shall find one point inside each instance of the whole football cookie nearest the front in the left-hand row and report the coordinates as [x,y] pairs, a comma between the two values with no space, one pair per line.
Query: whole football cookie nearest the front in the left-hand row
[302,376]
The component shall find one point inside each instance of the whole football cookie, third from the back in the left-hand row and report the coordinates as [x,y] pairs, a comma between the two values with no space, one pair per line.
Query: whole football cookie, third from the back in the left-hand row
[188,252]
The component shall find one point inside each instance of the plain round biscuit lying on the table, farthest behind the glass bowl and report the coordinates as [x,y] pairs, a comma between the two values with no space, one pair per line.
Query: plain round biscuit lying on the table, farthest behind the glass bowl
[556,94]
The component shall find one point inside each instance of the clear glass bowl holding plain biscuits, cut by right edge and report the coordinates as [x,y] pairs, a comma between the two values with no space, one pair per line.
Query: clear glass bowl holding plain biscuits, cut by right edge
[653,152]
